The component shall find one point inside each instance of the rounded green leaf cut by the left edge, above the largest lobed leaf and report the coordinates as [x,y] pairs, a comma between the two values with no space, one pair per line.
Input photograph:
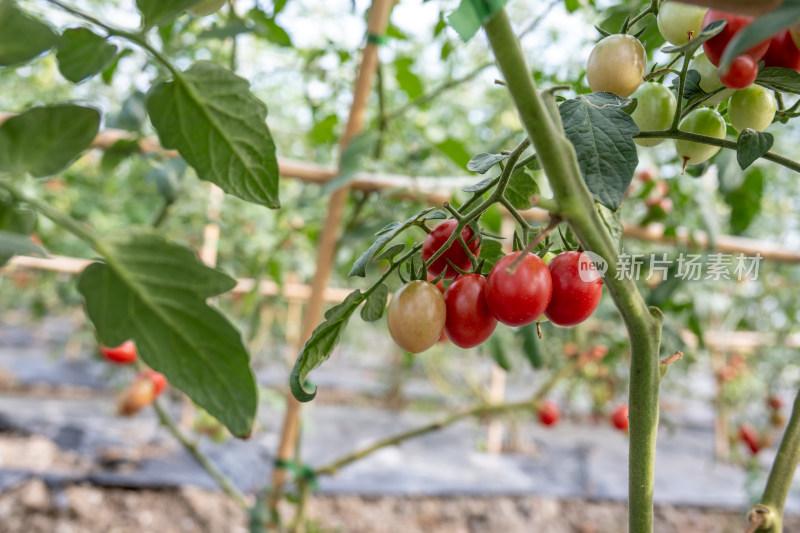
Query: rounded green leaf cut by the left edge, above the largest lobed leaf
[45,140]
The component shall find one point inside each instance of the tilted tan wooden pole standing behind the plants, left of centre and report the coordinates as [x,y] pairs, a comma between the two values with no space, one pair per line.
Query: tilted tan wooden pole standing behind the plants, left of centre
[376,27]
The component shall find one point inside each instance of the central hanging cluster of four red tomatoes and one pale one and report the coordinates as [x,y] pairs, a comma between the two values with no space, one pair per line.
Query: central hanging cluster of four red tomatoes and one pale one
[517,292]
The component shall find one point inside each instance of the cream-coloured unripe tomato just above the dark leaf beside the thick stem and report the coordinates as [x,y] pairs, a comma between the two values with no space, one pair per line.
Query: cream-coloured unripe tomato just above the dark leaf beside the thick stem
[617,65]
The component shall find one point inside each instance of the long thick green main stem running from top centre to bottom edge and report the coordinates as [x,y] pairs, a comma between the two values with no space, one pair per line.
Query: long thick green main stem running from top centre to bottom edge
[576,207]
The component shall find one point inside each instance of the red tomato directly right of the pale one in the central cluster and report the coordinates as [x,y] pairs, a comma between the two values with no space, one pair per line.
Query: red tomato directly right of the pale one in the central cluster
[469,321]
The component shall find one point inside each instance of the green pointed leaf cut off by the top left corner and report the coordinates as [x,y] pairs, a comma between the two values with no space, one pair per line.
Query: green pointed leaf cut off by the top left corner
[22,37]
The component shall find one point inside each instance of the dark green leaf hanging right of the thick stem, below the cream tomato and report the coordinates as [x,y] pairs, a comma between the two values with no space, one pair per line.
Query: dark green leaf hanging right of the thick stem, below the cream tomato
[602,133]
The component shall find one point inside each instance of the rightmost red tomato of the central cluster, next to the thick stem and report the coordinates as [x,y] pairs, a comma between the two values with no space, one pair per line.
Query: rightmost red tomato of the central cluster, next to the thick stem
[574,300]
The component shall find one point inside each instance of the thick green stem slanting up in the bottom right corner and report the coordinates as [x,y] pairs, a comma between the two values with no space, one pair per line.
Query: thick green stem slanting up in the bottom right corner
[770,509]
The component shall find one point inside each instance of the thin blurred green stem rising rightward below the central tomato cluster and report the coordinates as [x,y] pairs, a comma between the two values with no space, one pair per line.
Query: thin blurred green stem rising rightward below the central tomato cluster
[479,411]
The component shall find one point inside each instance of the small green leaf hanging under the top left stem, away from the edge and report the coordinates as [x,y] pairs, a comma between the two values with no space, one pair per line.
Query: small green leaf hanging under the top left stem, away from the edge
[82,54]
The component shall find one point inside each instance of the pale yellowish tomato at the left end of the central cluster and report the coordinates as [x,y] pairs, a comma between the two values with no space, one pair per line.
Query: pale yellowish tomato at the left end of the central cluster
[416,316]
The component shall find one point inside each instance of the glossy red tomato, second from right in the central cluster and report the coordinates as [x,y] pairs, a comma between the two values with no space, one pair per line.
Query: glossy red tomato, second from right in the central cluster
[520,298]
